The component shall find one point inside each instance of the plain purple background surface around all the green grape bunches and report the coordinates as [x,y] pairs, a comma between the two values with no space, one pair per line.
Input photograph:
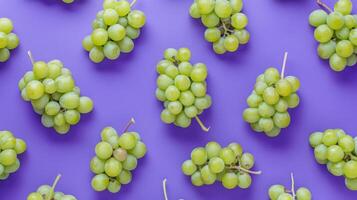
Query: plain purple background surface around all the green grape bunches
[125,88]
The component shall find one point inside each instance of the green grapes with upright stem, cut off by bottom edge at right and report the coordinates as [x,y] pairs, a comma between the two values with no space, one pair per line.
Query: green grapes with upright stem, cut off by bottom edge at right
[279,192]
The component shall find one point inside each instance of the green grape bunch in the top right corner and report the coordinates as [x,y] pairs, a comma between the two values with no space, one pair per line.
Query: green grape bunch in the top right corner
[337,34]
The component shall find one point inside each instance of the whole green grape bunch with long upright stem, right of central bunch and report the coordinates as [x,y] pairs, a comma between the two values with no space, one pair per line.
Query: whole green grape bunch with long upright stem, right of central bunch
[270,100]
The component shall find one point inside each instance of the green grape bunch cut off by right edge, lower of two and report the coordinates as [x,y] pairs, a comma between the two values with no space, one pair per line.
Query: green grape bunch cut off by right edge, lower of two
[338,151]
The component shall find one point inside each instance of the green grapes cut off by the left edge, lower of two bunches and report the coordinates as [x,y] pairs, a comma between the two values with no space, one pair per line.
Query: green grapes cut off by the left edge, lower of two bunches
[10,148]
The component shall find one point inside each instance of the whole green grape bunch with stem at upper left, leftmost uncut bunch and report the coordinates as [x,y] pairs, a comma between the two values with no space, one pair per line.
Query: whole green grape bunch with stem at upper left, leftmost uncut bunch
[52,92]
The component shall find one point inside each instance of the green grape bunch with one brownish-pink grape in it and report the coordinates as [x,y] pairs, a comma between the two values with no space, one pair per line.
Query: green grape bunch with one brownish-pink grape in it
[116,156]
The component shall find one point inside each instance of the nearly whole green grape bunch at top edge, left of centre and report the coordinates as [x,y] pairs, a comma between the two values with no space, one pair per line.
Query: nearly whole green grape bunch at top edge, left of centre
[114,29]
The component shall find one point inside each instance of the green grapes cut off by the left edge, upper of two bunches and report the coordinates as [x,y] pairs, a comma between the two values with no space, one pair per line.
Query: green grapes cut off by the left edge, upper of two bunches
[8,40]
